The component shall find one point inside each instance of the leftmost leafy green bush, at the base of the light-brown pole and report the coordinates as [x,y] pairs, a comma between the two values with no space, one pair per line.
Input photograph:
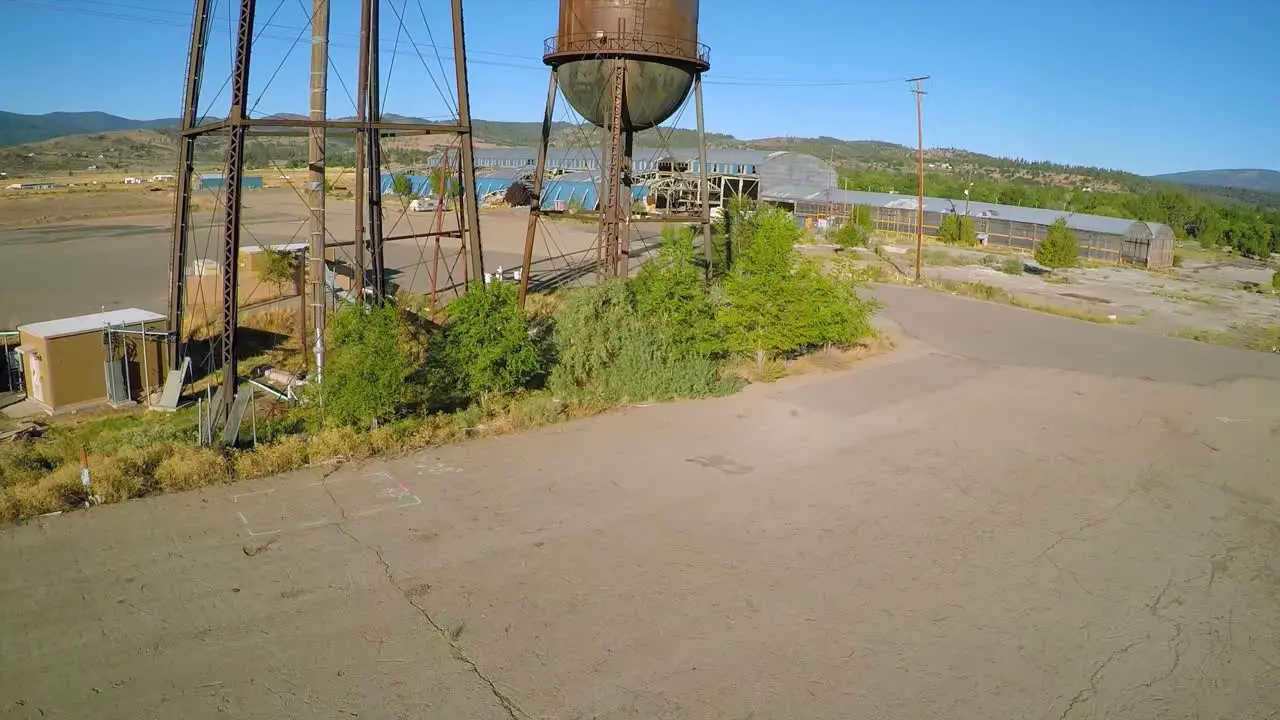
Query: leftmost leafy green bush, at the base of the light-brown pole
[367,367]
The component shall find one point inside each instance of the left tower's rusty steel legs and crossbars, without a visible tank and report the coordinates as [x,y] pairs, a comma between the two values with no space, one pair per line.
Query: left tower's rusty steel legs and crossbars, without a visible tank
[367,130]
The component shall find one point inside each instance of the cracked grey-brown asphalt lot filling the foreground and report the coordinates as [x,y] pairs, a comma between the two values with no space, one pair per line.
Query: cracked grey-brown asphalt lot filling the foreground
[1013,516]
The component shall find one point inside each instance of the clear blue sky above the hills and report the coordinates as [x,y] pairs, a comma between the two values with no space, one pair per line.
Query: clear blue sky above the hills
[1137,85]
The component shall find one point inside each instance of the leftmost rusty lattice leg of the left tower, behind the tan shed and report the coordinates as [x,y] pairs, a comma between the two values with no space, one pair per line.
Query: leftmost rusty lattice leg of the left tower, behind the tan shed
[186,174]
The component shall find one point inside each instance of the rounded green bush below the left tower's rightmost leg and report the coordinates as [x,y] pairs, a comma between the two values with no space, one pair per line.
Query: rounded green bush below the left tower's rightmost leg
[486,347]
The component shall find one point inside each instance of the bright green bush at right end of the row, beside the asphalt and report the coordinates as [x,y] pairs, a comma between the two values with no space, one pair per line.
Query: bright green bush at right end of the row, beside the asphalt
[779,303]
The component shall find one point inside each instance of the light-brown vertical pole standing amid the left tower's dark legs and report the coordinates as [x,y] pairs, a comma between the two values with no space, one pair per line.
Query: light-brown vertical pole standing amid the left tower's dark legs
[317,165]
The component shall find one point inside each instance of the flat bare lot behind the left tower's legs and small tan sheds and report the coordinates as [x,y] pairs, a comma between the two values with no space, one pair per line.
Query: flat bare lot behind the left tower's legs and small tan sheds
[72,268]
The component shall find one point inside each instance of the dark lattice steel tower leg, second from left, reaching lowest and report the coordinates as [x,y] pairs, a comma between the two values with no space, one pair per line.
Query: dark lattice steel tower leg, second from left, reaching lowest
[232,222]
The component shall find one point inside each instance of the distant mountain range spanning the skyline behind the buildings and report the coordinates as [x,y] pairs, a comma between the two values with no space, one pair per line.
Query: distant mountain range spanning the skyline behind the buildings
[65,142]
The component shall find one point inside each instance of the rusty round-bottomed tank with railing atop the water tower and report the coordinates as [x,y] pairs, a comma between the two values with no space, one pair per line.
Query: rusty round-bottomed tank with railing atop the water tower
[657,39]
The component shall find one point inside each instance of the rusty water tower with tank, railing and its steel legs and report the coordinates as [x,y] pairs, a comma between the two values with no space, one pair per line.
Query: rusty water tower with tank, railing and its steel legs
[625,66]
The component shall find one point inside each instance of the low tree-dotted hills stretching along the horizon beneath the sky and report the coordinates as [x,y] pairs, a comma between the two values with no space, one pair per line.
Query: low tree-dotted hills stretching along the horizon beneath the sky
[74,143]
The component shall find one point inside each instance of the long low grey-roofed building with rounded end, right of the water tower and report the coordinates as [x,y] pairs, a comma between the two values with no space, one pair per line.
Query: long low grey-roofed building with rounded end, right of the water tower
[1112,240]
